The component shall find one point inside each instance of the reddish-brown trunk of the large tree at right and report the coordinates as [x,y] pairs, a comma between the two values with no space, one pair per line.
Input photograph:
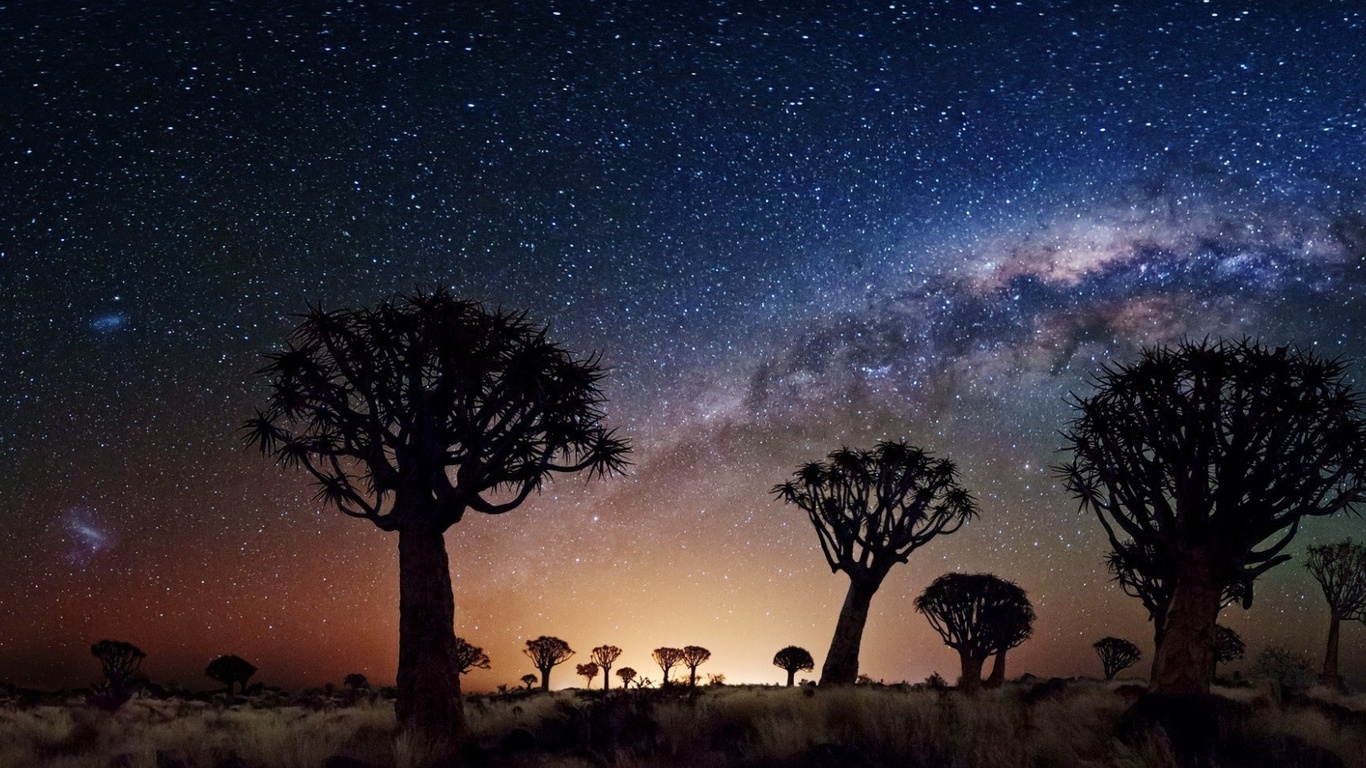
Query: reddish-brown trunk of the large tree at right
[1186,658]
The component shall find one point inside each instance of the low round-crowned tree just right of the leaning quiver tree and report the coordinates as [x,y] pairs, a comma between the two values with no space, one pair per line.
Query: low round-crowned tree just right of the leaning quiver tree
[969,613]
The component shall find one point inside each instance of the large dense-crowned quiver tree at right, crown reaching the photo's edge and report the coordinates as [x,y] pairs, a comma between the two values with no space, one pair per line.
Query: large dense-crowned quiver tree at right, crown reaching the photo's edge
[1208,457]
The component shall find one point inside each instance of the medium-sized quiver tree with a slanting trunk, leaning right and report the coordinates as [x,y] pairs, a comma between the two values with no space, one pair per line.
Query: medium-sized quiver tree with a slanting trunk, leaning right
[871,510]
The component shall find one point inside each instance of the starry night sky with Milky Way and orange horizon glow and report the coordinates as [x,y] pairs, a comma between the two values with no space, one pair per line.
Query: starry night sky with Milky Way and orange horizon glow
[786,228]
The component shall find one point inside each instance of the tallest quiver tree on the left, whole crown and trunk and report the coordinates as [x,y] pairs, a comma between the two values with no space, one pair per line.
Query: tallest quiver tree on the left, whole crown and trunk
[413,413]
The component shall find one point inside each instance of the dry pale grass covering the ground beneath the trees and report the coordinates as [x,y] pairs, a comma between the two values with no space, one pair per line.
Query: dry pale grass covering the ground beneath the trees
[722,728]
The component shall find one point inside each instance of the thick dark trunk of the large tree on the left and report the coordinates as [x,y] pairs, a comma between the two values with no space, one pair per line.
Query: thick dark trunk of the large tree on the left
[430,702]
